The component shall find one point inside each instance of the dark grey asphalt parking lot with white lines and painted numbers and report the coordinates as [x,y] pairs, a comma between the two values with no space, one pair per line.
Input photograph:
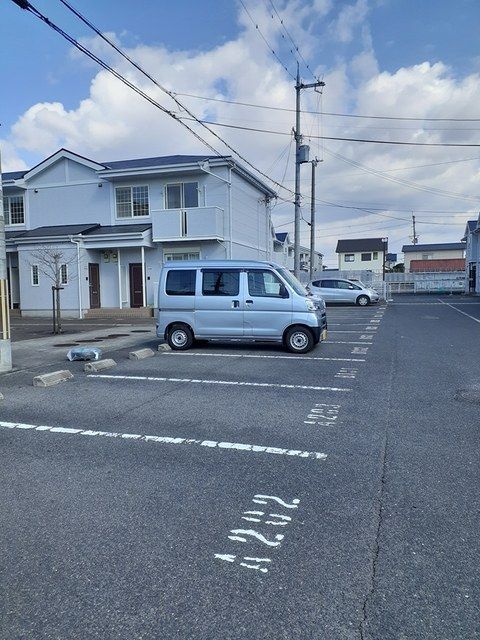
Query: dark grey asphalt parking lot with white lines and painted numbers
[240,492]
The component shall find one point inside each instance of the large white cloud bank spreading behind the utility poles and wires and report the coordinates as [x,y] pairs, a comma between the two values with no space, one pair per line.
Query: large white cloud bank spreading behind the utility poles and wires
[114,123]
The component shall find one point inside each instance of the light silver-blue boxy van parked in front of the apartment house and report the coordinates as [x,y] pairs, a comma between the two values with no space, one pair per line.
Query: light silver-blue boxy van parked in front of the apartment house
[237,300]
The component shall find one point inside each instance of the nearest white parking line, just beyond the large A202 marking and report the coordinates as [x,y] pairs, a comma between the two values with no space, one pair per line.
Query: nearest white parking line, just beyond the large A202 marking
[211,444]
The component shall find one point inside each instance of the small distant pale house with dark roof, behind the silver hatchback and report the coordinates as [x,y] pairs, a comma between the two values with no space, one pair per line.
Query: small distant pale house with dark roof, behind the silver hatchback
[361,254]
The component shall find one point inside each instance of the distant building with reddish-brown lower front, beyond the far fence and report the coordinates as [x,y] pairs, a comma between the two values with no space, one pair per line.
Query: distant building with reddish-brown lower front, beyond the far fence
[448,256]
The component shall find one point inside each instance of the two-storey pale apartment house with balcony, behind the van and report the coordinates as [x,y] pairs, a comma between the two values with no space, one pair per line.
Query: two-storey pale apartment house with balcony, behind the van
[115,223]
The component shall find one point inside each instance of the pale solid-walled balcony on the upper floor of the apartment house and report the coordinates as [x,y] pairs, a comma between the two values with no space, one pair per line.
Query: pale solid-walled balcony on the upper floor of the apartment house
[199,223]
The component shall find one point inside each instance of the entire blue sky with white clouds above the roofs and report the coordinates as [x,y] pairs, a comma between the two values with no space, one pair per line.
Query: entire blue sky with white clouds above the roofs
[383,57]
